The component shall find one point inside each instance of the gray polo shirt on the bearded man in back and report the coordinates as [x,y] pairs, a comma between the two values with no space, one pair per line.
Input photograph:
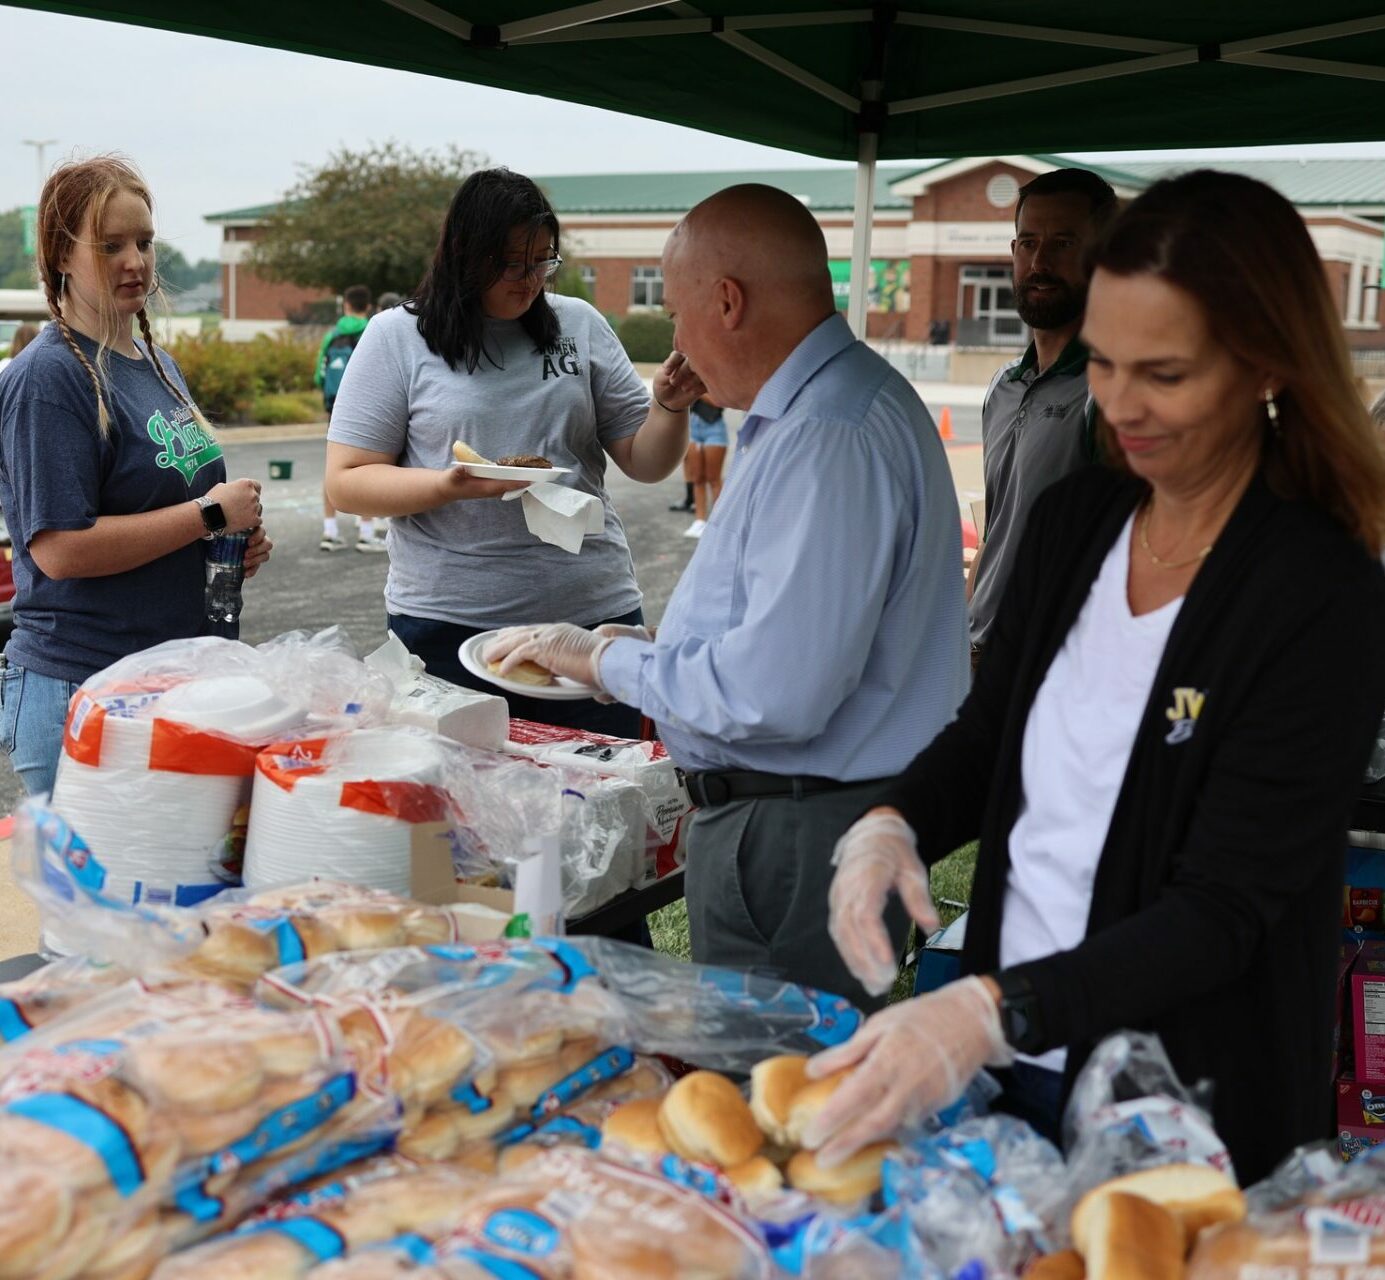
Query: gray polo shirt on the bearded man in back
[1035,429]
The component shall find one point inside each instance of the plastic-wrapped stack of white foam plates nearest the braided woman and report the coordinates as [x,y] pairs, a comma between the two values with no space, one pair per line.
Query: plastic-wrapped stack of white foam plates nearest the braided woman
[160,750]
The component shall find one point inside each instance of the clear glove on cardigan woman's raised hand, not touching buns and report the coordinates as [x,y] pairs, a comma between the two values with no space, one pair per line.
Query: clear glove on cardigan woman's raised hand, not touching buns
[877,855]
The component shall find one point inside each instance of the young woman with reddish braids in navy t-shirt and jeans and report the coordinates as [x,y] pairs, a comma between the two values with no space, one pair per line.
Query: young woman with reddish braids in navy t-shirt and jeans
[110,476]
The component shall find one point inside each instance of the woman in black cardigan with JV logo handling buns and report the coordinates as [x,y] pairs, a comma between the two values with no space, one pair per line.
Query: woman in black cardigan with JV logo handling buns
[1167,734]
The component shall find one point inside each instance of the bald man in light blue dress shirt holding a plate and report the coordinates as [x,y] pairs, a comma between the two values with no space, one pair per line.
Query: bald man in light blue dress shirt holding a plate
[818,639]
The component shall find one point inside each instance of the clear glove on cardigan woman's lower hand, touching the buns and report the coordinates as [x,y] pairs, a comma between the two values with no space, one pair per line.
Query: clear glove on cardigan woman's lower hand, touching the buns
[908,1062]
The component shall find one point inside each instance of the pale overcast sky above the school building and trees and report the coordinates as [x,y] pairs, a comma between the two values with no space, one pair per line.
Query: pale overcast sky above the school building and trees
[220,127]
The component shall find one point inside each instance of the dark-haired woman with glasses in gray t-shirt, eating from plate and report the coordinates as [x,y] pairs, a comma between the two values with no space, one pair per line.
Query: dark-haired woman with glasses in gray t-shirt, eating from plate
[485,355]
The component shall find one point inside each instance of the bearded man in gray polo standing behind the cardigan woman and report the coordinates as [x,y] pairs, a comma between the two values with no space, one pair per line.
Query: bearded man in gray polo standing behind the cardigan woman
[1037,420]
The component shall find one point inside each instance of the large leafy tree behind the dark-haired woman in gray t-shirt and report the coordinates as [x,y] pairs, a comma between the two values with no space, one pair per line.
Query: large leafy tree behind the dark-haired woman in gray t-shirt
[364,218]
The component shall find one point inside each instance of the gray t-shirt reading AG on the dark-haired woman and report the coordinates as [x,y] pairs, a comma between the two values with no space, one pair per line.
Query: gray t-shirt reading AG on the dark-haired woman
[476,563]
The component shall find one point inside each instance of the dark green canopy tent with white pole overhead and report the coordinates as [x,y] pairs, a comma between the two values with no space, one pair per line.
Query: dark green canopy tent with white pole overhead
[887,82]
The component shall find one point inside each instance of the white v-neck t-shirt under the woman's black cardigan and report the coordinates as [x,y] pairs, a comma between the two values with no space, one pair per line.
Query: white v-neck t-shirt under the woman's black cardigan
[1077,747]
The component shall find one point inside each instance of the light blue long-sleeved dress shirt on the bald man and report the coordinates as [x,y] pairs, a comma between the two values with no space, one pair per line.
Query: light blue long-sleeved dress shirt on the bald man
[821,628]
